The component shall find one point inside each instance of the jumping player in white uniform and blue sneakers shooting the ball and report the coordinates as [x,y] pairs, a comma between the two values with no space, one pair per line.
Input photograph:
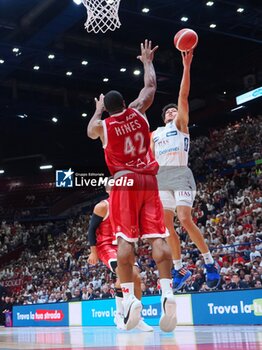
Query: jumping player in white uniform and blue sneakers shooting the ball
[170,145]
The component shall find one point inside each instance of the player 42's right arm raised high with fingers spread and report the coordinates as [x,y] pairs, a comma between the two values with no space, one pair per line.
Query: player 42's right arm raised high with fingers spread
[147,94]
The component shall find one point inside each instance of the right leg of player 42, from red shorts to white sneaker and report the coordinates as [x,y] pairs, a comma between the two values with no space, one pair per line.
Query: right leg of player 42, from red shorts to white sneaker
[152,228]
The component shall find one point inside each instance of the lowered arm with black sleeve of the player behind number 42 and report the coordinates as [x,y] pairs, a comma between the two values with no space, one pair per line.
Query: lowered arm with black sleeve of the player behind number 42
[98,215]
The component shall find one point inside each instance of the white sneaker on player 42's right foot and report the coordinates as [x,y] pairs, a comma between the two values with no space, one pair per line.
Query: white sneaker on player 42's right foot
[168,318]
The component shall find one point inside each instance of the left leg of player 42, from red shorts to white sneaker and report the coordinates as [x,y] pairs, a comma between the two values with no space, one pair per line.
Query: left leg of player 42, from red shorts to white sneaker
[124,219]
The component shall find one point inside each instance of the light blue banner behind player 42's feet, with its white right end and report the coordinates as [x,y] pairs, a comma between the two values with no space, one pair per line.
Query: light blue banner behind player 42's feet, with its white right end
[102,312]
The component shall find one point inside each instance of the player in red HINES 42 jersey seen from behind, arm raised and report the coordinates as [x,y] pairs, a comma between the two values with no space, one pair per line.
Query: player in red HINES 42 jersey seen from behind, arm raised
[136,211]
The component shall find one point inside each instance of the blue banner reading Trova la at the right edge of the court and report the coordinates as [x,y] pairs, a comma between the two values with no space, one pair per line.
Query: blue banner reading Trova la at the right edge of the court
[228,307]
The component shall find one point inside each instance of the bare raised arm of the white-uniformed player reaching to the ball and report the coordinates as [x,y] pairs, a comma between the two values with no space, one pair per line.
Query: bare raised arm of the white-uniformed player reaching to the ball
[182,119]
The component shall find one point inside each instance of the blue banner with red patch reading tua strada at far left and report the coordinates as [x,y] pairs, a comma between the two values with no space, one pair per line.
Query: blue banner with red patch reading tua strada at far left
[41,315]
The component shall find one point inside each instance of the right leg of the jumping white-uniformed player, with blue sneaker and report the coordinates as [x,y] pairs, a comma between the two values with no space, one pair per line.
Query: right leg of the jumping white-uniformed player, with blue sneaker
[184,213]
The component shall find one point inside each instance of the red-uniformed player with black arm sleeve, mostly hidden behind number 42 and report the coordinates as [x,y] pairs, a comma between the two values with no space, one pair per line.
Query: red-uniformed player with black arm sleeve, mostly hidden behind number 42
[100,236]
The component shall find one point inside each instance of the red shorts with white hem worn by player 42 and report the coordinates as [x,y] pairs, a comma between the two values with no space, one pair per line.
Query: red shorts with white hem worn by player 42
[136,211]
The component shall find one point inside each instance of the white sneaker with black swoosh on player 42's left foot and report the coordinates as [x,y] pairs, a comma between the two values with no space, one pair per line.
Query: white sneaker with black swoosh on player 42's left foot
[132,312]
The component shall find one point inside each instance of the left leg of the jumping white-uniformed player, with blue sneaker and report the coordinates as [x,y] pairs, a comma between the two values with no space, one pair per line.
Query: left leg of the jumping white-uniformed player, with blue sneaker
[180,274]
